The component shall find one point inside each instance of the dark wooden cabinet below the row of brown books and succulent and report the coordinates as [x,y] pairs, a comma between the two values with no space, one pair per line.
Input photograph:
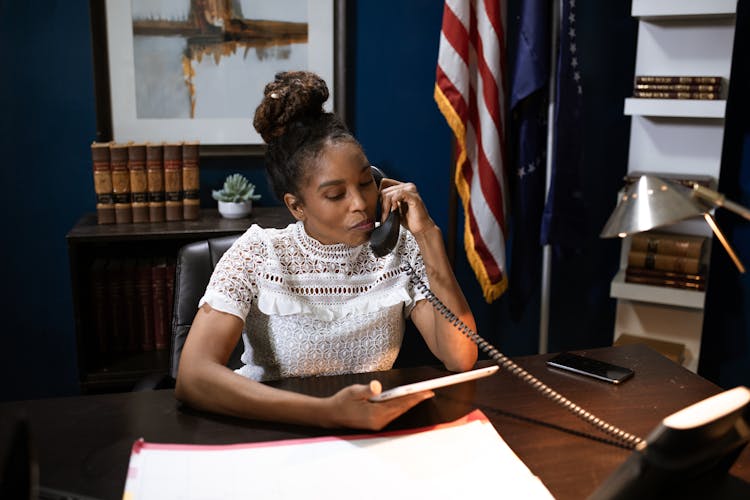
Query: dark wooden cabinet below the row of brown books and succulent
[89,243]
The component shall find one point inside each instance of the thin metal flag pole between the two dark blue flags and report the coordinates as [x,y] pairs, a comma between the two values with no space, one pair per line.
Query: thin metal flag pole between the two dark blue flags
[546,250]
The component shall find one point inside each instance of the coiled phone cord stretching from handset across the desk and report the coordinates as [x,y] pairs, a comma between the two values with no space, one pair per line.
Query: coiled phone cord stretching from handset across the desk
[629,440]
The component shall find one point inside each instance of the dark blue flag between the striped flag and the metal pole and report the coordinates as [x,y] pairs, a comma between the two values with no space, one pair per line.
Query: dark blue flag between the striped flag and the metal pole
[528,103]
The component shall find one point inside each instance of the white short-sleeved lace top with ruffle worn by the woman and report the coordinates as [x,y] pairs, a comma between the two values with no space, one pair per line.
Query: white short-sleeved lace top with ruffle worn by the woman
[313,309]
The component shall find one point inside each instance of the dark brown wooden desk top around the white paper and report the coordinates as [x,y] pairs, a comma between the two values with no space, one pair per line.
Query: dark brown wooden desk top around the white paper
[83,443]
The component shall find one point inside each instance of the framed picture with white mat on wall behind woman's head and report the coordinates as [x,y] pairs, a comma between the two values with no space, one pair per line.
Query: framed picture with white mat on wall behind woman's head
[118,100]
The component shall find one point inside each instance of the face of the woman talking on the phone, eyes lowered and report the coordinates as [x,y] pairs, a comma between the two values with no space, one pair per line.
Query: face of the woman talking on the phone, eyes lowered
[339,200]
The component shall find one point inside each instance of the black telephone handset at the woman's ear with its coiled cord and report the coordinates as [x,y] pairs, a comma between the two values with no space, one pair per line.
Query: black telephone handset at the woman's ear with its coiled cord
[383,239]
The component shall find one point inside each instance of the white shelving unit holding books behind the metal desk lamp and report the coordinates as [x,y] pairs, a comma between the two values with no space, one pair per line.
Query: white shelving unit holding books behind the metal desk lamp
[681,137]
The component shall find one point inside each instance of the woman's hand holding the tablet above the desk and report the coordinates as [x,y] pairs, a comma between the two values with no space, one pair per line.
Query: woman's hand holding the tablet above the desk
[351,407]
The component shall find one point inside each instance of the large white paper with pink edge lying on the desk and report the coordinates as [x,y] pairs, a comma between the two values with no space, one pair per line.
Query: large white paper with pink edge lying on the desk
[463,459]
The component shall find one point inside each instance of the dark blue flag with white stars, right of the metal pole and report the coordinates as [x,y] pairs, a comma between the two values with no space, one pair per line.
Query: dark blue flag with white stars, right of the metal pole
[564,221]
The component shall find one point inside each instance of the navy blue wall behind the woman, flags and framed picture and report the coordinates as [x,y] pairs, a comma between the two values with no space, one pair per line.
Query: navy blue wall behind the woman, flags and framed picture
[48,121]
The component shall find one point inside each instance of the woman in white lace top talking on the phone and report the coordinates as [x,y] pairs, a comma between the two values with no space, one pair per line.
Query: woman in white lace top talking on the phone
[312,299]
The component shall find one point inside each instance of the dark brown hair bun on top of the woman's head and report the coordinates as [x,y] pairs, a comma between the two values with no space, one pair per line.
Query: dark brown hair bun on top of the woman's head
[292,96]
